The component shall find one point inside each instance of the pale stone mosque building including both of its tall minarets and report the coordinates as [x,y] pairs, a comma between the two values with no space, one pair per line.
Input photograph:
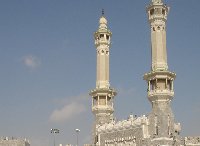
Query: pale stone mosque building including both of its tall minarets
[159,127]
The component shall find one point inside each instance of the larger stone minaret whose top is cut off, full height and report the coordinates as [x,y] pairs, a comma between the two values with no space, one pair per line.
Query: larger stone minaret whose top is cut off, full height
[159,79]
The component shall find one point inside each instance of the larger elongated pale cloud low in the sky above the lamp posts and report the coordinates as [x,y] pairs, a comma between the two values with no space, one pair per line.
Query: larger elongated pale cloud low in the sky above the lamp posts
[67,112]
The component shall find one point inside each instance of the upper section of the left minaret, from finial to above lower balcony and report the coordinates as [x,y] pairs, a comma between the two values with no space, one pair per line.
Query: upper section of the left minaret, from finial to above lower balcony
[102,42]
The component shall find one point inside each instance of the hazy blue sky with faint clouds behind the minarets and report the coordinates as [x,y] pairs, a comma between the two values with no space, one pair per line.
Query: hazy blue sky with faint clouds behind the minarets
[48,64]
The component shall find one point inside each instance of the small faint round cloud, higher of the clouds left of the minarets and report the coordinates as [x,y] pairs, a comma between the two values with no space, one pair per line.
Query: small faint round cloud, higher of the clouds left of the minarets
[31,62]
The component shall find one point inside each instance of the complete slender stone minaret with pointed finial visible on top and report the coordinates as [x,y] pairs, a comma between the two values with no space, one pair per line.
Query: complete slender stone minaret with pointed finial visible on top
[102,95]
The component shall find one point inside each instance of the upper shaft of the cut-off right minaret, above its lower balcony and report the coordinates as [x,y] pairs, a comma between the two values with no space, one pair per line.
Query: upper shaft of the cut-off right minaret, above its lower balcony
[157,13]
